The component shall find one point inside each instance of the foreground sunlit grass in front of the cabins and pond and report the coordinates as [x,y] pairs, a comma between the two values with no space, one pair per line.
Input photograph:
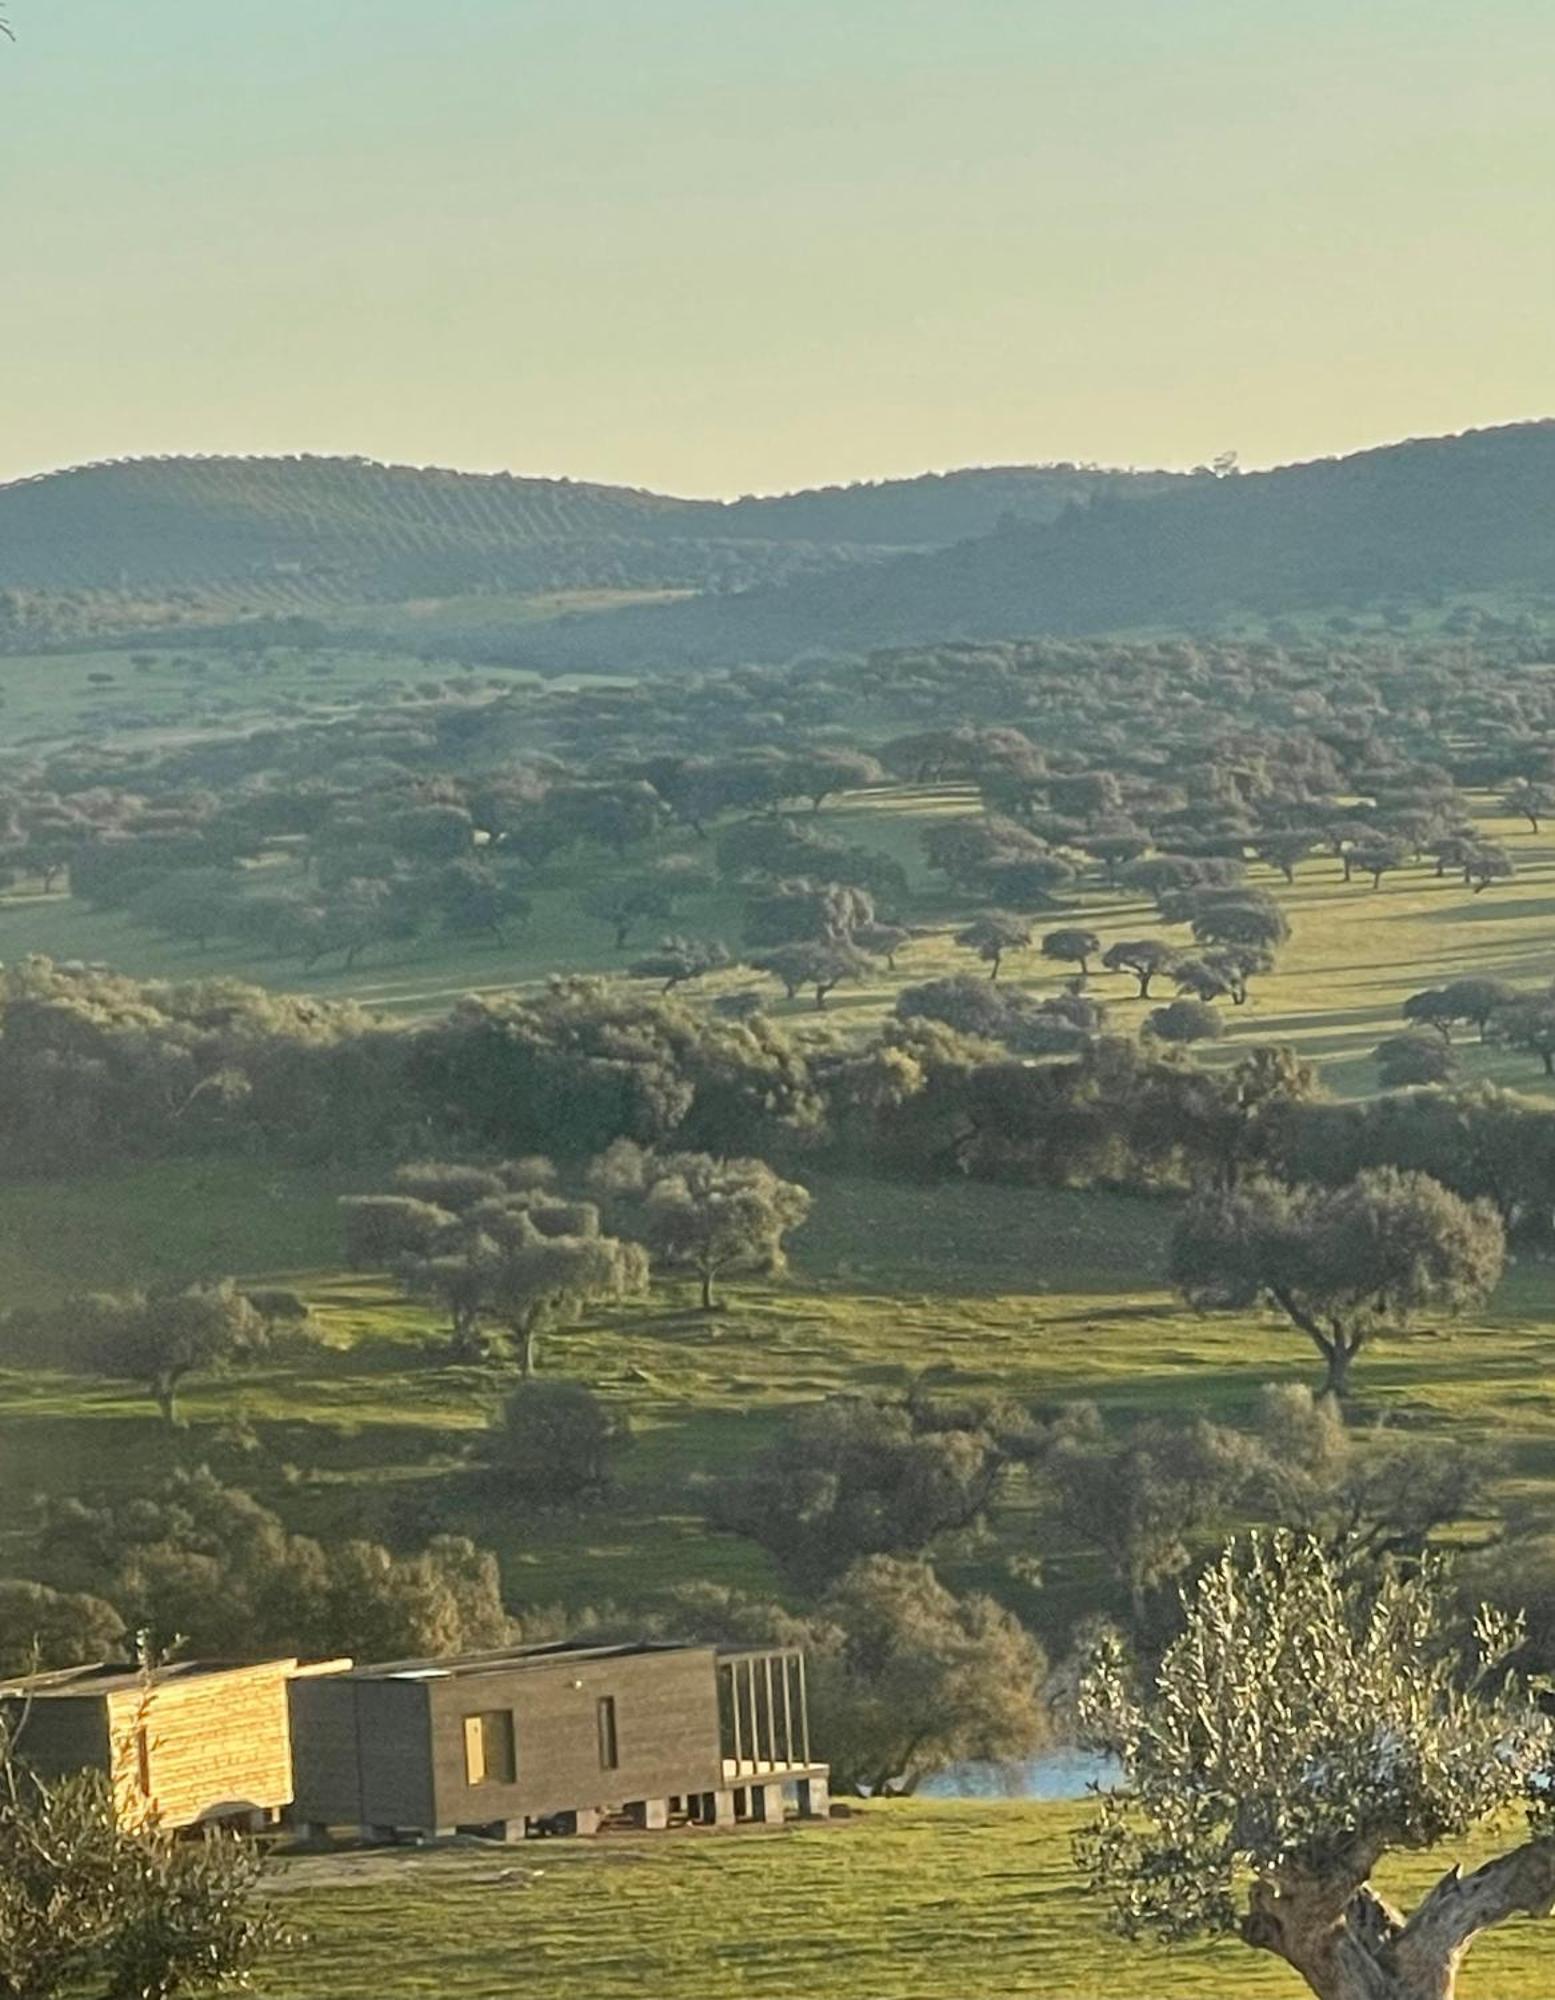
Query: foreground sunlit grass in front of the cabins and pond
[900,1903]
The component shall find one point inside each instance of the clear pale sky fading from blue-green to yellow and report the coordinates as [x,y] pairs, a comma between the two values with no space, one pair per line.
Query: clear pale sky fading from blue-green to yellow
[727,247]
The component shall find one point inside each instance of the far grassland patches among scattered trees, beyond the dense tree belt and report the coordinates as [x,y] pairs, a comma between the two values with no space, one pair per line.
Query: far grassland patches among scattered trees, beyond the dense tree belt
[1354,955]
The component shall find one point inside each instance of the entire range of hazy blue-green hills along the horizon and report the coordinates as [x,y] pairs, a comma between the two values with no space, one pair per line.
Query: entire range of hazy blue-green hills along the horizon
[964,555]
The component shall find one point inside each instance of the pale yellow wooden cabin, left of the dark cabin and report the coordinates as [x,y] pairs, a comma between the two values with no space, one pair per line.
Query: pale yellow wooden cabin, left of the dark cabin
[185,1745]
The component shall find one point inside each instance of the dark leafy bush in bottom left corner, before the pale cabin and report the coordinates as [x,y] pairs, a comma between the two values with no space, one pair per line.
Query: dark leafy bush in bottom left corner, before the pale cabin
[97,1907]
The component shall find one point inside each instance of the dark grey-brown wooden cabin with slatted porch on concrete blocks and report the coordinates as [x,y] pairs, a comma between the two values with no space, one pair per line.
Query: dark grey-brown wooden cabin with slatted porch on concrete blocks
[555,1739]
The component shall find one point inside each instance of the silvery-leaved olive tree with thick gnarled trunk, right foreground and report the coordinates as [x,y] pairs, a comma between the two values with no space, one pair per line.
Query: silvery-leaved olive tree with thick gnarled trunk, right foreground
[1310,1721]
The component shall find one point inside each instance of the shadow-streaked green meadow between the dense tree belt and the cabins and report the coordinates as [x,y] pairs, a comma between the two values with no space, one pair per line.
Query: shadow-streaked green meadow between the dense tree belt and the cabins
[1046,1297]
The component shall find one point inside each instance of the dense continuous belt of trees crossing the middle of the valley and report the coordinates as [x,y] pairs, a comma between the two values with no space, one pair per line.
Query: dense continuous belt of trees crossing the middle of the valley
[99,1069]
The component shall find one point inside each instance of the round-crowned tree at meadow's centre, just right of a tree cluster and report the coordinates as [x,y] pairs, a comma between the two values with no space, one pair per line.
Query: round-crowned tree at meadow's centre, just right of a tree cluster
[705,1215]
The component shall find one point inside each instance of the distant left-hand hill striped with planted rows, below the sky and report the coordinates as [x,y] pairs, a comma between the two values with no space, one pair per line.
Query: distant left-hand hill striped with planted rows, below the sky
[239,535]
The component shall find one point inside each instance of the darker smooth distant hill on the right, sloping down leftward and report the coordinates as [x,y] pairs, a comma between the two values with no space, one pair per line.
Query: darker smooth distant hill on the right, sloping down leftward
[1404,523]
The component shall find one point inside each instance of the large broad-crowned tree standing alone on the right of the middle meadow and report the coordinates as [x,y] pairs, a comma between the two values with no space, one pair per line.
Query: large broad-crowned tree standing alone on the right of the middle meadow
[1340,1263]
